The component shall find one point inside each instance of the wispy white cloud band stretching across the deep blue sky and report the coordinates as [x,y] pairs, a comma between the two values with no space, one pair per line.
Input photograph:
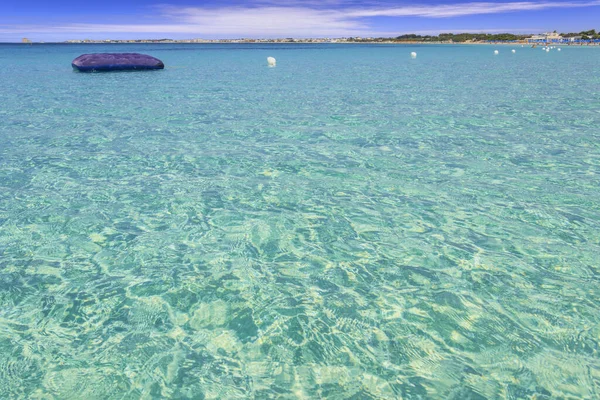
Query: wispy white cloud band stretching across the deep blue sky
[299,19]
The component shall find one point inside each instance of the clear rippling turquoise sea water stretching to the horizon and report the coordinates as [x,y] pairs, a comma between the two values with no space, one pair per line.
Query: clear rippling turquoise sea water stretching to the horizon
[352,224]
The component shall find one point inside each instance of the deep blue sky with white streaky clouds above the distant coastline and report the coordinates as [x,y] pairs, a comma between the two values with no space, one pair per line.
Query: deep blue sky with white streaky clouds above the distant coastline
[59,20]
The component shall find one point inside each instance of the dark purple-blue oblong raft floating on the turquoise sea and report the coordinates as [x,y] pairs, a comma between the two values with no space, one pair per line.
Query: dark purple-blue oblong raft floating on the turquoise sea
[116,62]
